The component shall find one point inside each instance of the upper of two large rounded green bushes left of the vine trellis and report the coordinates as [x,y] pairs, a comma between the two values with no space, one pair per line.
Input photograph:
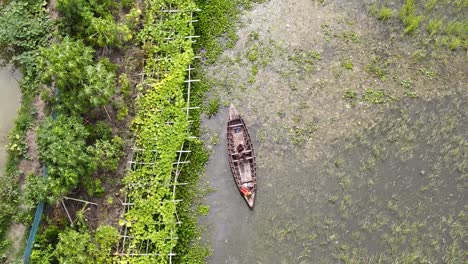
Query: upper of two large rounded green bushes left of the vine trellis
[82,84]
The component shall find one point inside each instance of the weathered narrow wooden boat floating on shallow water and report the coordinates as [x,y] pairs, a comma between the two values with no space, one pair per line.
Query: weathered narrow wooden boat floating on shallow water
[241,157]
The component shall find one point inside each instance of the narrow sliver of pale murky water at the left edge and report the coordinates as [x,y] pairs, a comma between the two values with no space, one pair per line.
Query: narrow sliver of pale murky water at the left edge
[9,102]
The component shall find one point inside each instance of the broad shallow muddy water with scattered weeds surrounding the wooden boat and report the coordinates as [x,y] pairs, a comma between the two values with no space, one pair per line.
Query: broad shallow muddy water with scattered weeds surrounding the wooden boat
[360,164]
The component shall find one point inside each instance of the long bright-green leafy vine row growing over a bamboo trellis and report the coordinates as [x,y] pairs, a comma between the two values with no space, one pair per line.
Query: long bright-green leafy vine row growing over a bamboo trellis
[160,124]
